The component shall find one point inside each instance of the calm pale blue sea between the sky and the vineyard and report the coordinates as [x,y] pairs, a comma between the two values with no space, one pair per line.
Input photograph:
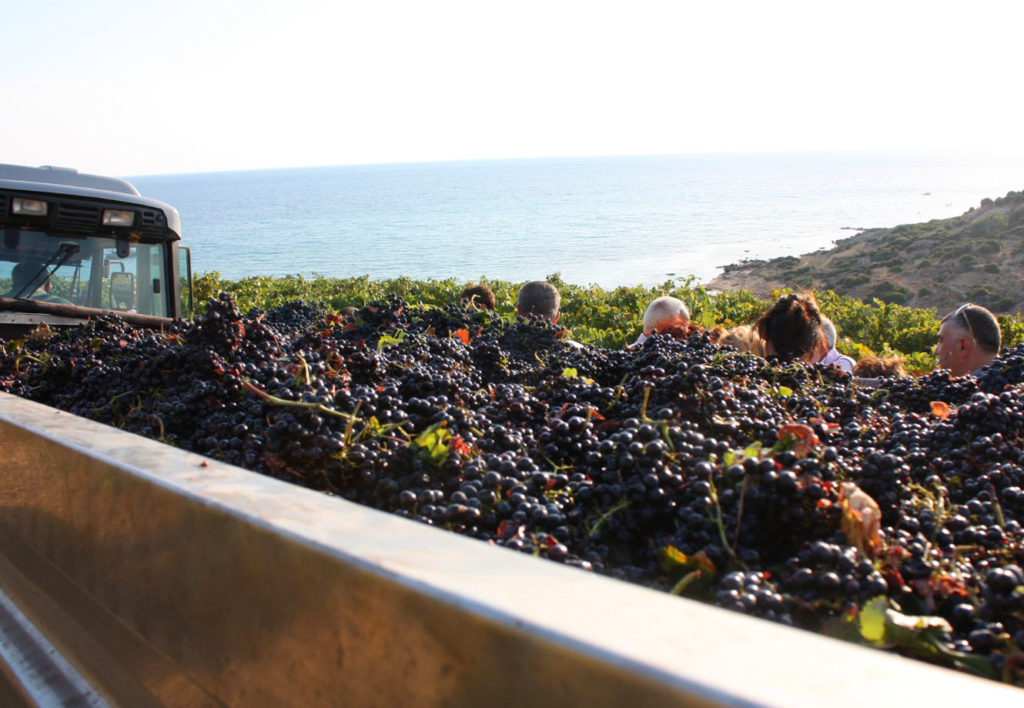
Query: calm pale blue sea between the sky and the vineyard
[601,221]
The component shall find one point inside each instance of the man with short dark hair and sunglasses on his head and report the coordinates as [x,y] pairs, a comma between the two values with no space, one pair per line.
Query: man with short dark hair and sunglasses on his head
[968,342]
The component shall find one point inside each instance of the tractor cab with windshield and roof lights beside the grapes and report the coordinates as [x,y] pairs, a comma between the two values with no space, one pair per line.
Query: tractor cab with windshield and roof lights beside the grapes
[75,246]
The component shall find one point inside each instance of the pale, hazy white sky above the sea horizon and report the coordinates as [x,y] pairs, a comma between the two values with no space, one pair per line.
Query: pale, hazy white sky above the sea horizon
[134,88]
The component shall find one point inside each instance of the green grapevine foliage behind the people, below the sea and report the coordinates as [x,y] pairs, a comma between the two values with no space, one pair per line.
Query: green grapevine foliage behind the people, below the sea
[614,318]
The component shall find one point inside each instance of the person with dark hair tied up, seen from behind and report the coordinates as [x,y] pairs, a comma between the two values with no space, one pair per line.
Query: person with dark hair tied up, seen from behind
[792,329]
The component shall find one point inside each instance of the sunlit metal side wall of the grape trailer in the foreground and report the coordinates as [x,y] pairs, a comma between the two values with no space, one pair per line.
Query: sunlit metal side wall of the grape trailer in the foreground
[136,574]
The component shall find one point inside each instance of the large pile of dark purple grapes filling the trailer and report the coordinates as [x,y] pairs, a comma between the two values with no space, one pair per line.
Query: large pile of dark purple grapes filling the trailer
[891,516]
